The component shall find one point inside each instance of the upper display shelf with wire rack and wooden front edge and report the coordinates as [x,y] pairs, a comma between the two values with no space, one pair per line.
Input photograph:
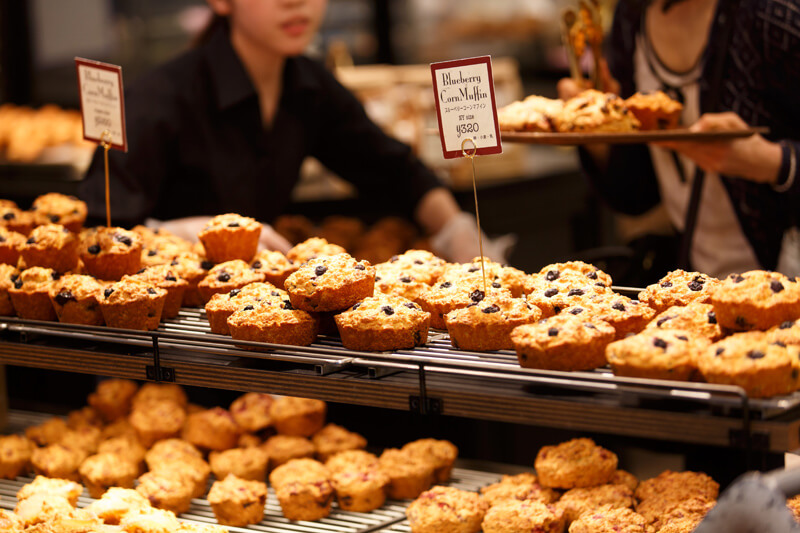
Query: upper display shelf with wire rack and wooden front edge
[432,379]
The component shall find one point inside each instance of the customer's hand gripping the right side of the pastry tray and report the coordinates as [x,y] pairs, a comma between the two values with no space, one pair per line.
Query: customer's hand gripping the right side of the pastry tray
[753,158]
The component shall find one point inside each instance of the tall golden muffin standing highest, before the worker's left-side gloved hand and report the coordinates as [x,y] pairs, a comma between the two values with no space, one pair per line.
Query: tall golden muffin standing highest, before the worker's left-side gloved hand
[230,236]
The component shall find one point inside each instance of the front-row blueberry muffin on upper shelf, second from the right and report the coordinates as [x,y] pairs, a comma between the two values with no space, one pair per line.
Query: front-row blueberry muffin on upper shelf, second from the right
[661,354]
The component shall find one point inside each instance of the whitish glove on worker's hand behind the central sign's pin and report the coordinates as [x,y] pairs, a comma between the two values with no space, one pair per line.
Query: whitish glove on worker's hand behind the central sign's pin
[457,241]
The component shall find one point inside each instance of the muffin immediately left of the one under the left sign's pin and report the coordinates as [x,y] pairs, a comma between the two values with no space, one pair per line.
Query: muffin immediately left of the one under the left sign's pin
[51,246]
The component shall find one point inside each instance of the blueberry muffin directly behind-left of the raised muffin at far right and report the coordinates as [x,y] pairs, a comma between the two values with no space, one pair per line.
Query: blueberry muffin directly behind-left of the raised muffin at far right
[679,288]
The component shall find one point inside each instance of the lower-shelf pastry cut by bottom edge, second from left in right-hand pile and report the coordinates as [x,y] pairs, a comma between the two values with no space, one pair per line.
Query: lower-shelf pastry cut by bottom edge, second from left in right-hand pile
[523,515]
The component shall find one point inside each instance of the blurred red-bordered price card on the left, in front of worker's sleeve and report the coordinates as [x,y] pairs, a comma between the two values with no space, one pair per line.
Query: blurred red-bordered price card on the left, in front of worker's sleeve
[102,102]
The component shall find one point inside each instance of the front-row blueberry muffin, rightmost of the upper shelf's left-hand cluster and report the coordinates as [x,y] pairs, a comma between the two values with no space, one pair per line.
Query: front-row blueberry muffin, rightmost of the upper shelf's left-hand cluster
[132,304]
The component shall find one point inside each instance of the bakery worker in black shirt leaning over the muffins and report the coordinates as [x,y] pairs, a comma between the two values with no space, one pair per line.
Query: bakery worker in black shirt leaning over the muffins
[226,126]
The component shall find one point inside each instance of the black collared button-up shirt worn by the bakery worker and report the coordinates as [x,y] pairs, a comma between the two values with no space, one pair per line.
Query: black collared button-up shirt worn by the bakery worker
[197,144]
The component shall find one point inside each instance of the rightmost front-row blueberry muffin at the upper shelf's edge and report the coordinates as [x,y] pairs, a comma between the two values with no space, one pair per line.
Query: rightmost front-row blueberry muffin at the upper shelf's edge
[751,360]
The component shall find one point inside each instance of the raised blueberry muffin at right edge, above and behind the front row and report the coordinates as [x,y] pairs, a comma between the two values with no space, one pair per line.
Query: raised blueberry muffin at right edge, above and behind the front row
[757,299]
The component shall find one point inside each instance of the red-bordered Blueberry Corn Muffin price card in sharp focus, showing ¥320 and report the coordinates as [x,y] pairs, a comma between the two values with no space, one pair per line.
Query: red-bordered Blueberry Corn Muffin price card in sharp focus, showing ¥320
[465,105]
